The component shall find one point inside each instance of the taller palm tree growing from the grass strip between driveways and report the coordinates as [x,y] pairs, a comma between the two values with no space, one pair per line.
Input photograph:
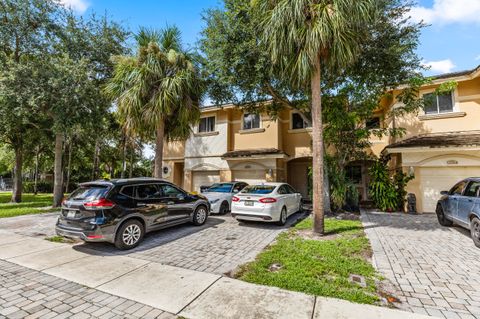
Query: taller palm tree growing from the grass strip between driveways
[303,38]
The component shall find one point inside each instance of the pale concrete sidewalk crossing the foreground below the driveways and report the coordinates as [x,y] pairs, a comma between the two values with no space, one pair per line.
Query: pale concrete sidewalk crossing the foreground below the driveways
[187,293]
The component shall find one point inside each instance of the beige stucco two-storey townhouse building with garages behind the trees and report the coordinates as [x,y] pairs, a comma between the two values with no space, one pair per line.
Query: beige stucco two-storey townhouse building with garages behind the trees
[441,145]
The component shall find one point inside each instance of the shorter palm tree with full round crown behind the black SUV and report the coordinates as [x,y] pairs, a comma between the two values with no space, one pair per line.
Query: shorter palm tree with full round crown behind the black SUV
[158,91]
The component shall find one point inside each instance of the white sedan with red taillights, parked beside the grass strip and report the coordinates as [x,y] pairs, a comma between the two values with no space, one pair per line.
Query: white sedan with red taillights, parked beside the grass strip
[271,202]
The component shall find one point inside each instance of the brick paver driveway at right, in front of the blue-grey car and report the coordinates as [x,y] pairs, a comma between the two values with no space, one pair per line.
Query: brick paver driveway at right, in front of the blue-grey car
[435,269]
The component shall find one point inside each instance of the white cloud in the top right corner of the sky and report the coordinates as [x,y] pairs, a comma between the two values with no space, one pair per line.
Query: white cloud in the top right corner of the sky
[448,11]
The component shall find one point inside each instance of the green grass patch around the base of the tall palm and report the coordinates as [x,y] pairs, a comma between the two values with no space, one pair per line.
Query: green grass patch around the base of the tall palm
[318,267]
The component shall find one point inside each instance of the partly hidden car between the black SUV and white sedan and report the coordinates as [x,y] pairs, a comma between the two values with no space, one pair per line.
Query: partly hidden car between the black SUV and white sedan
[220,195]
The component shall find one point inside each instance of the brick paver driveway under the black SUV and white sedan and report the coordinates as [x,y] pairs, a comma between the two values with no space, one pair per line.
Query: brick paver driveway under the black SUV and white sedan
[219,246]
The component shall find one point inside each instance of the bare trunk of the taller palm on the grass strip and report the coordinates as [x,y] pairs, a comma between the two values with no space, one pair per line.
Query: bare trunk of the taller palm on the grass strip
[317,148]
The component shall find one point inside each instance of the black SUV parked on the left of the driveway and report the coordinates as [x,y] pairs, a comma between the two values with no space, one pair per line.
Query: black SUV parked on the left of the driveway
[121,211]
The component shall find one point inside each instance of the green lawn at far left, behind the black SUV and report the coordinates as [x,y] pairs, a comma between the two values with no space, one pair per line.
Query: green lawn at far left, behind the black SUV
[31,204]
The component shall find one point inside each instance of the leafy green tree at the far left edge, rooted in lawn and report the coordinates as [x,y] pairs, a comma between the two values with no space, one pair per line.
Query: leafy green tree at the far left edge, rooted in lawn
[25,30]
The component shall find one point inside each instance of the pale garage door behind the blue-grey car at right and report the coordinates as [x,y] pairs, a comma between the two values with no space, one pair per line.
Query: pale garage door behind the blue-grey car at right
[433,180]
